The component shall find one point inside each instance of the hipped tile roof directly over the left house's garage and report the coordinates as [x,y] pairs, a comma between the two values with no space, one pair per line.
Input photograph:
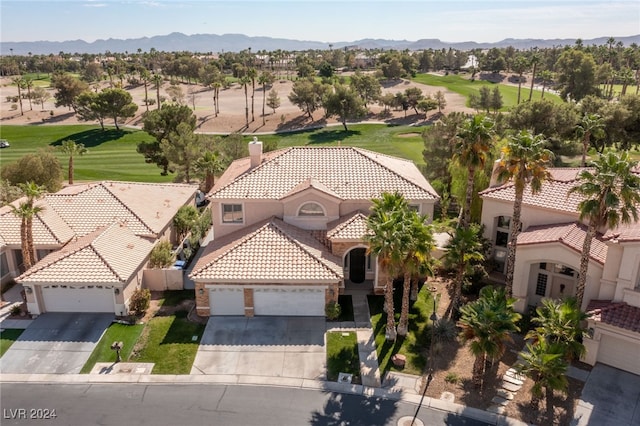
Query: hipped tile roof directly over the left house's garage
[109,254]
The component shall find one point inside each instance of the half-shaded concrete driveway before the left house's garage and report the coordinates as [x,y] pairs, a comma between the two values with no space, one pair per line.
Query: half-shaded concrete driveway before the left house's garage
[57,343]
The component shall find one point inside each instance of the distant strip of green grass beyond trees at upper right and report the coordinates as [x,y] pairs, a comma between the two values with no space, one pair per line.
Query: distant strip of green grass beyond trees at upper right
[465,87]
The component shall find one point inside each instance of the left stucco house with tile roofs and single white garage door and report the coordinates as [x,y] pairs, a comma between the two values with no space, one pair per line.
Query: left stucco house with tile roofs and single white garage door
[92,243]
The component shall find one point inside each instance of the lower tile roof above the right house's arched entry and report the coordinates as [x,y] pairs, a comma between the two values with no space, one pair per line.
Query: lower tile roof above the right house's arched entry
[569,234]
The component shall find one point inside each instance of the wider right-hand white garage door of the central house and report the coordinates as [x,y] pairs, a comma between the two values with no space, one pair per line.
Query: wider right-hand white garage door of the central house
[289,301]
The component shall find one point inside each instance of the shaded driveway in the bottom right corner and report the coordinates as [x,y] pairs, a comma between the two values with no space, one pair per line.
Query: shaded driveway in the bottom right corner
[609,397]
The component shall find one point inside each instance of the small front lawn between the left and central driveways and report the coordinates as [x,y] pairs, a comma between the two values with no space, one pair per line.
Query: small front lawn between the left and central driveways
[167,342]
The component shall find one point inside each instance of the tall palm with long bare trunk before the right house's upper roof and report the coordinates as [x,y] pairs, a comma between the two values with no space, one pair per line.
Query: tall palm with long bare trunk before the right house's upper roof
[525,161]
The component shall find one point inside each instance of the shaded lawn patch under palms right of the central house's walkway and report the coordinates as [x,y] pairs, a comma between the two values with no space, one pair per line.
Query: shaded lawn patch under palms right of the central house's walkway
[417,340]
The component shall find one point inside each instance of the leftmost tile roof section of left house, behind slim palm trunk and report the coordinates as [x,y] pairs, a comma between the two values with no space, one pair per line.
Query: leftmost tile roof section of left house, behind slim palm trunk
[48,228]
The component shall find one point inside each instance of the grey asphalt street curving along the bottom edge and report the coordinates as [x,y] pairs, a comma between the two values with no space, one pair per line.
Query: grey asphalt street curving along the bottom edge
[186,405]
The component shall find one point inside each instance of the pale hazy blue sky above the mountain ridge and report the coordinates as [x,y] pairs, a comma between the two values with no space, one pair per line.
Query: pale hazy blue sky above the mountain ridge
[327,21]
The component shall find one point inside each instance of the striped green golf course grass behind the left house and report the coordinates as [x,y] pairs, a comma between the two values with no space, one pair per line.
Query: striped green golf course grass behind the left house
[112,154]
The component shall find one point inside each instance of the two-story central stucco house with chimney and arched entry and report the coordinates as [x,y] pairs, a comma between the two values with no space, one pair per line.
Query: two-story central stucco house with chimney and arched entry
[290,225]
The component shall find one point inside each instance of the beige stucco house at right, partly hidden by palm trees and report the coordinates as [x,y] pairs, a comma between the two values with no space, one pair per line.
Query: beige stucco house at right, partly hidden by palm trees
[548,260]
